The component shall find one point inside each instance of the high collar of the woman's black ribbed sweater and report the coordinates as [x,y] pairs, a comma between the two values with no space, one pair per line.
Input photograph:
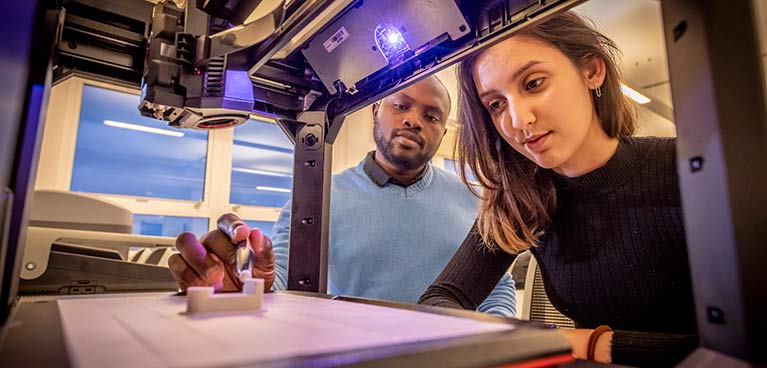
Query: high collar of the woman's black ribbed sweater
[625,160]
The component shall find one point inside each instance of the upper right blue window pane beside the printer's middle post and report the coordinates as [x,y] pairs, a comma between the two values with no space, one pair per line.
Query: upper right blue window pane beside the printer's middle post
[262,165]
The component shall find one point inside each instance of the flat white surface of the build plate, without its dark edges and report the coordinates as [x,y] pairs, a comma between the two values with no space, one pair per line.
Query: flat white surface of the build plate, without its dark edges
[155,330]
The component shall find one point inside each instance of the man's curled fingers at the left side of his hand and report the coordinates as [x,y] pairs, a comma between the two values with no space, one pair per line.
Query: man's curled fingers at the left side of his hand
[195,258]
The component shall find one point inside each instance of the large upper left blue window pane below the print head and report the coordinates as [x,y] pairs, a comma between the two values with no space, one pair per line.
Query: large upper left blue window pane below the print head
[121,152]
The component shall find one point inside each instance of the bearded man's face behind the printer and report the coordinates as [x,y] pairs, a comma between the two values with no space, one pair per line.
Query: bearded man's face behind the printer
[409,125]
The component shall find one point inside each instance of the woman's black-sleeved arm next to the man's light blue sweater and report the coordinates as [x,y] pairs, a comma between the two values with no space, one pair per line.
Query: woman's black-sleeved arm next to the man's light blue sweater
[469,277]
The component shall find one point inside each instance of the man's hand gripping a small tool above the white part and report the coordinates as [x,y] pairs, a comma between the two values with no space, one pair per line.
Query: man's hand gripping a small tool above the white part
[210,261]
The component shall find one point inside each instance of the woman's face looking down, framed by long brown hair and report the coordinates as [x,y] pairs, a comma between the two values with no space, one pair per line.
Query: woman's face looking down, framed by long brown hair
[540,102]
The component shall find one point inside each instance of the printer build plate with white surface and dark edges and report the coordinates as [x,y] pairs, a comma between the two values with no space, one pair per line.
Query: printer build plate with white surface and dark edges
[291,330]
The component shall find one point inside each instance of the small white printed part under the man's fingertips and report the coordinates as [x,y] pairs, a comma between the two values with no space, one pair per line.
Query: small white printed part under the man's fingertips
[201,299]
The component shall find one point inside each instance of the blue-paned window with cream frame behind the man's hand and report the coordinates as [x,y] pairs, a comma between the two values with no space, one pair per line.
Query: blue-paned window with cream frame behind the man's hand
[173,180]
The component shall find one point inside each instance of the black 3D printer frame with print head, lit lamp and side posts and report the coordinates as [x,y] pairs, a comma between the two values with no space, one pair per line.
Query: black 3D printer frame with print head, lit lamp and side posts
[309,63]
